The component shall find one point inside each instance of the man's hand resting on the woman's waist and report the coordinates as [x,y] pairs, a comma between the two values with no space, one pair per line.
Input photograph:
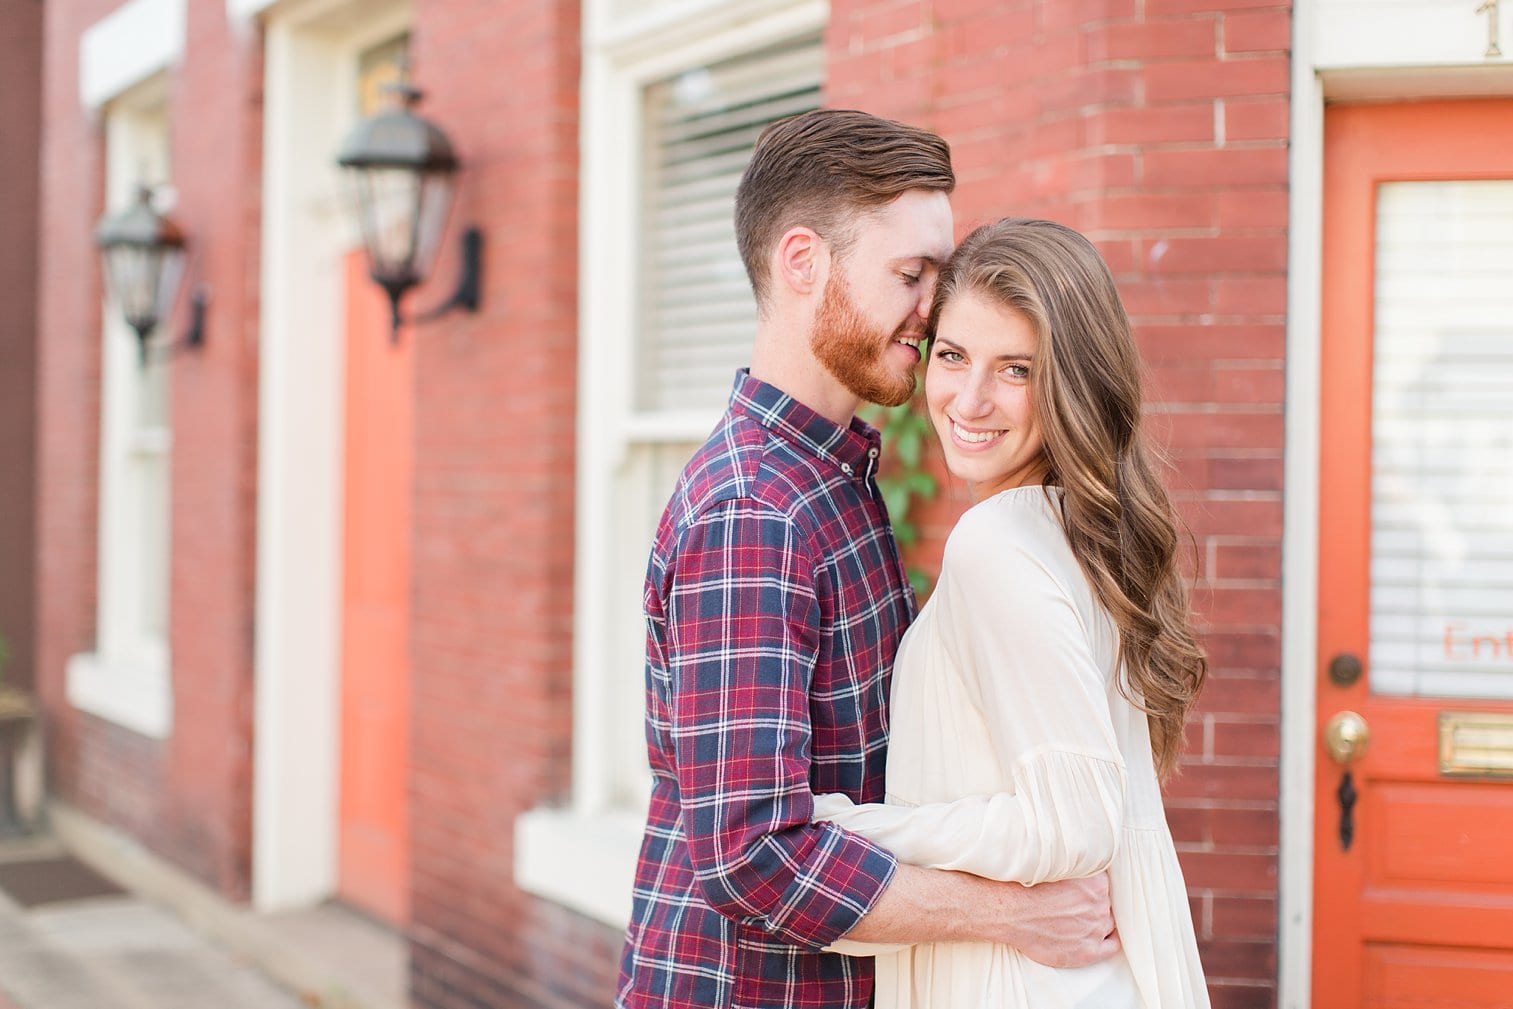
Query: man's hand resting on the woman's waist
[1067,924]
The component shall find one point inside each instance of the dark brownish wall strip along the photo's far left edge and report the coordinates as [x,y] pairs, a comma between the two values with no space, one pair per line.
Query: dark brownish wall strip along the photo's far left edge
[20,113]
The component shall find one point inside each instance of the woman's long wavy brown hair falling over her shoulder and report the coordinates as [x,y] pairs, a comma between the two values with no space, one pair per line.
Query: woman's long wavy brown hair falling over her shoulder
[1086,390]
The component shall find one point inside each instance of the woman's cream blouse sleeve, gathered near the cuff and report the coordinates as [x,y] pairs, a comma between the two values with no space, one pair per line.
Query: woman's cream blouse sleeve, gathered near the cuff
[1014,635]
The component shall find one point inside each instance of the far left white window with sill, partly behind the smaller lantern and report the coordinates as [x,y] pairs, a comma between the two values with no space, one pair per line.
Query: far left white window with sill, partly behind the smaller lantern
[126,678]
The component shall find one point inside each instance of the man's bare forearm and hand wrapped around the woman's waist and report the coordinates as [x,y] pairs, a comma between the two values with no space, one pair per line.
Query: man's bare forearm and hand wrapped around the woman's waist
[1066,924]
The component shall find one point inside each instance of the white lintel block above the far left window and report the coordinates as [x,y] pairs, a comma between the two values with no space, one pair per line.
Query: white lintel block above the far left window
[126,48]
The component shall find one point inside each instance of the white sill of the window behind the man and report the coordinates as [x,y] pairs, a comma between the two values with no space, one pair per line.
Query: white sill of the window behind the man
[582,862]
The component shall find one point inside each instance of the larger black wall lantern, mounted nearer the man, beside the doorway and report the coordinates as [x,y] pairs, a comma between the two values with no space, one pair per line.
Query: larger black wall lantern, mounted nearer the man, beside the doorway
[402,172]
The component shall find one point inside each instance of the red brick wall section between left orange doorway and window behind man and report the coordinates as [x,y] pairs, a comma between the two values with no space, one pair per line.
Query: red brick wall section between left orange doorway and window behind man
[494,512]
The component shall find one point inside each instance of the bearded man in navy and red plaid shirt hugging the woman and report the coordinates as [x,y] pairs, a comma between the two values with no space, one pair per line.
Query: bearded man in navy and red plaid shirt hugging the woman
[775,601]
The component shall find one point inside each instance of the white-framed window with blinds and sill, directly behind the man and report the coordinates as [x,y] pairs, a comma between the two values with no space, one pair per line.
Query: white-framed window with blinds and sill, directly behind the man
[666,318]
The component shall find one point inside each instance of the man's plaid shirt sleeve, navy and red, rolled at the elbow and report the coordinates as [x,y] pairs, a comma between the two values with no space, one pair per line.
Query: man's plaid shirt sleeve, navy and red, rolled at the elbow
[744,629]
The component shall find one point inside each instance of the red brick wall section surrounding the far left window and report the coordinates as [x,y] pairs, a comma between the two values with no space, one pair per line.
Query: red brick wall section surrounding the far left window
[188,798]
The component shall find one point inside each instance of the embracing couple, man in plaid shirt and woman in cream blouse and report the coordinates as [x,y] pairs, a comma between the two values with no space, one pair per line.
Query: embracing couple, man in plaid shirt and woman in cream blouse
[856,804]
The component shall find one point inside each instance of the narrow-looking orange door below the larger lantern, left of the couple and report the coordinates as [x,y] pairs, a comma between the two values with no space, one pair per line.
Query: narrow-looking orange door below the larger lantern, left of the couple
[373,871]
